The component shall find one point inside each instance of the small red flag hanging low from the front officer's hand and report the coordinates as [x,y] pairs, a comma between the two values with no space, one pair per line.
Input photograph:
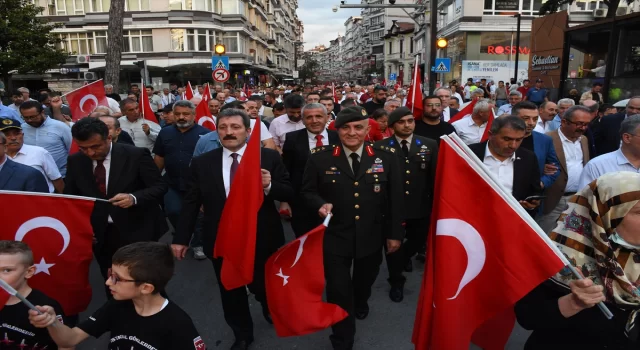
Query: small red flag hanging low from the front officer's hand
[294,279]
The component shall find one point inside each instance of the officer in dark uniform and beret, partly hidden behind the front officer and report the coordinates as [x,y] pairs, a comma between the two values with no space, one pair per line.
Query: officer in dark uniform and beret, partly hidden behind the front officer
[418,156]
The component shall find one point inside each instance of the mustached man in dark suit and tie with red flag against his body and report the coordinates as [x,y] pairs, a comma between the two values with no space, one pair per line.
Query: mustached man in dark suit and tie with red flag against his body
[208,187]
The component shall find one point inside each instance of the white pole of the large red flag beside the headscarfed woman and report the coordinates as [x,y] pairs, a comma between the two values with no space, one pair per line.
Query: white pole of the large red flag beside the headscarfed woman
[458,145]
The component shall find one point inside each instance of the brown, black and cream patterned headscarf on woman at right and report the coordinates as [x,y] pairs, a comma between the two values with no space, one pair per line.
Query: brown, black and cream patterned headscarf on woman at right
[583,233]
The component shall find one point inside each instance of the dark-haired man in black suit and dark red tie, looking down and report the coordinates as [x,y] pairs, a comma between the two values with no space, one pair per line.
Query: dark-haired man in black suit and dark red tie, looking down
[127,177]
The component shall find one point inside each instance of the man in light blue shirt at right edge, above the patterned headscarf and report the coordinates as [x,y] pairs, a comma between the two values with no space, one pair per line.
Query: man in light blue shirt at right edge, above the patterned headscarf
[626,158]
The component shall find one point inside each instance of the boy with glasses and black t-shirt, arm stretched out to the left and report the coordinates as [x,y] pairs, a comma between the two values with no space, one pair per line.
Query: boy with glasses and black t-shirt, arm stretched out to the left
[138,317]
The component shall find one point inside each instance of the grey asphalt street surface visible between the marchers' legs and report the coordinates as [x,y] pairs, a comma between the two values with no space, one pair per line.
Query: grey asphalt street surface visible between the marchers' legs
[194,288]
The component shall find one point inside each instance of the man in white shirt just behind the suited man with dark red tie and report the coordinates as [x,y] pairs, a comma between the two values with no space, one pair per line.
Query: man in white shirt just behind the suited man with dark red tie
[143,132]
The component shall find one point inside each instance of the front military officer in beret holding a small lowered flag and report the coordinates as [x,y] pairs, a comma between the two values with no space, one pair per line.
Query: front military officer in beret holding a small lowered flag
[360,187]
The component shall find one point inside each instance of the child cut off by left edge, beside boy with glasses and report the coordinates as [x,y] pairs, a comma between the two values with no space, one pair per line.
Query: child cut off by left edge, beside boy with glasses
[16,267]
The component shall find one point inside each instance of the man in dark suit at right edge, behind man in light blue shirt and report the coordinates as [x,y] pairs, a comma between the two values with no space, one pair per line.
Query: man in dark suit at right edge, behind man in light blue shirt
[607,135]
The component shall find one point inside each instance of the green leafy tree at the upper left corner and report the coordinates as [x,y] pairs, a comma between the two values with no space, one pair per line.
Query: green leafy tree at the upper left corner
[26,42]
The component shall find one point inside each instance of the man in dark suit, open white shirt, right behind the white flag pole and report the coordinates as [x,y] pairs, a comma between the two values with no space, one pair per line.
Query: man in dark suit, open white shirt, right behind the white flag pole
[520,174]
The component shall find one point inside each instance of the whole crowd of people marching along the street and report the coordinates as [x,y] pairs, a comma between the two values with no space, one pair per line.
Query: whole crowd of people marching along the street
[358,154]
